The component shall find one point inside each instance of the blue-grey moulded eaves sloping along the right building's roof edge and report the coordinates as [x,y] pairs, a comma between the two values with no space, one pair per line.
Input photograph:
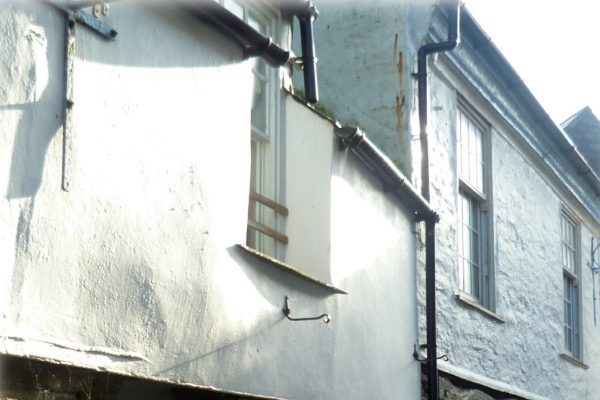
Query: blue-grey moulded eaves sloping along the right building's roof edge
[484,67]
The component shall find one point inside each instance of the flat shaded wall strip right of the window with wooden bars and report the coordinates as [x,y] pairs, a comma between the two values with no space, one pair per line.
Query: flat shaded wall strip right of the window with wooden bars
[310,148]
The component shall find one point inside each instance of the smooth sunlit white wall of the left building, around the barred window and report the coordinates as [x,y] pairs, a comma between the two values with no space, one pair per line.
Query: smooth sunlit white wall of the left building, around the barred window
[136,269]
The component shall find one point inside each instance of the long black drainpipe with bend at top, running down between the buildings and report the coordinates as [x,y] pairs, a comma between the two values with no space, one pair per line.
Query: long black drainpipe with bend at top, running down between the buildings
[424,51]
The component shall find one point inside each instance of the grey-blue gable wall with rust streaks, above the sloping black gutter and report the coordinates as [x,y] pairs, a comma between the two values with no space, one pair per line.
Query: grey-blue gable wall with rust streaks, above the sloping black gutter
[366,55]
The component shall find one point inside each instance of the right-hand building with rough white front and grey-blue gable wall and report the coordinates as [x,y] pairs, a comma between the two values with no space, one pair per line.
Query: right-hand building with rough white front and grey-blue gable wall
[519,211]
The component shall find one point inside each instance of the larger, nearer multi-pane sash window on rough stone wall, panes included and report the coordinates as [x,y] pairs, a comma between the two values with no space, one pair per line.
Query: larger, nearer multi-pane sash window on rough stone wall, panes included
[477,196]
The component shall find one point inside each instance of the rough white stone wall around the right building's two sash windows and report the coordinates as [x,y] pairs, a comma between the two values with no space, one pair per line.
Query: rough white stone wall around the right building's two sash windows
[523,351]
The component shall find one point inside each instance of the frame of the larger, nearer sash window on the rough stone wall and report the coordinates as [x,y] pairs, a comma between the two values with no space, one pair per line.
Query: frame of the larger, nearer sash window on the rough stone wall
[483,198]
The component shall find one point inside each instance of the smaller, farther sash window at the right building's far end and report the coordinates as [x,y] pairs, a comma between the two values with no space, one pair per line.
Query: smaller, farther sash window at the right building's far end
[570,240]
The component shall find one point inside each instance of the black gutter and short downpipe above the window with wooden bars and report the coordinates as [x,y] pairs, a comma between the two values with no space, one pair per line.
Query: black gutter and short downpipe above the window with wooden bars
[255,44]
